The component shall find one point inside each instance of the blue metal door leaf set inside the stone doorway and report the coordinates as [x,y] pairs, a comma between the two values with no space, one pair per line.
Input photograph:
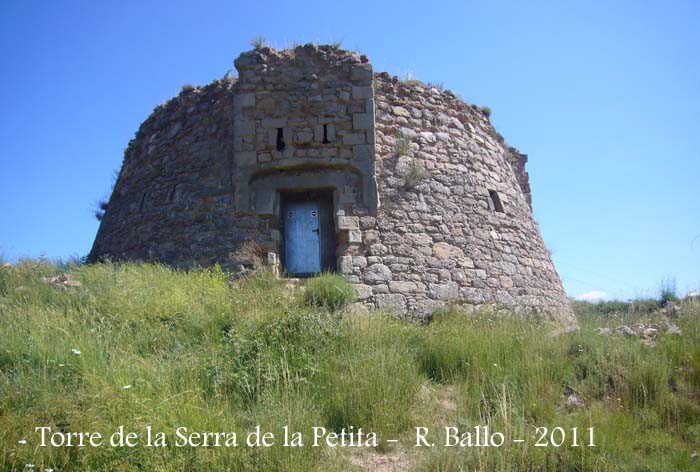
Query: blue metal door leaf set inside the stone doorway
[302,238]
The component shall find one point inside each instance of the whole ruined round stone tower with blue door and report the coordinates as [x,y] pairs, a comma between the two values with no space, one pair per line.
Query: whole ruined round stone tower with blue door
[401,187]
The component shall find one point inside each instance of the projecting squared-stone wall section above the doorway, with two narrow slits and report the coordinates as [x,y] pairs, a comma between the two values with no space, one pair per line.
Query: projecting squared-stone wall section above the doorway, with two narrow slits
[309,109]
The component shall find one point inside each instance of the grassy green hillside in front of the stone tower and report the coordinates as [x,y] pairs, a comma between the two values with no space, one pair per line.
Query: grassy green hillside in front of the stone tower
[110,345]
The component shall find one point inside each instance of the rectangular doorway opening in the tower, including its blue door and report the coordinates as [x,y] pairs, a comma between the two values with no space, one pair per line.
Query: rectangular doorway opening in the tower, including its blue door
[308,228]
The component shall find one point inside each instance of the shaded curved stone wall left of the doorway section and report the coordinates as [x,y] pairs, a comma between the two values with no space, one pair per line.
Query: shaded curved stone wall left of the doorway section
[173,198]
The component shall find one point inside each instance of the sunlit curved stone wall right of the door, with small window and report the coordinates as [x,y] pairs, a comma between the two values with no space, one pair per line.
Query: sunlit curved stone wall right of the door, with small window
[439,238]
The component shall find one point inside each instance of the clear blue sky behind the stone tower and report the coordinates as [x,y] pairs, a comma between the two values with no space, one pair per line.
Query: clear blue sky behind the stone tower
[604,96]
